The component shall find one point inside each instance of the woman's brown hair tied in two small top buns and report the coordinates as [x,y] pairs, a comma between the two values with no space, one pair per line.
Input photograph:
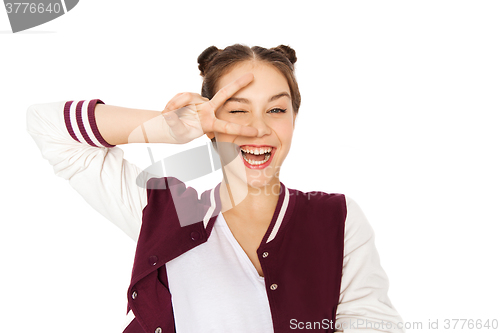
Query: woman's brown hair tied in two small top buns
[214,63]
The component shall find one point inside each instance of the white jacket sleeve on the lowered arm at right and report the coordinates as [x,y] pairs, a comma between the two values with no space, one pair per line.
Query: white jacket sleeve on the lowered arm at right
[364,305]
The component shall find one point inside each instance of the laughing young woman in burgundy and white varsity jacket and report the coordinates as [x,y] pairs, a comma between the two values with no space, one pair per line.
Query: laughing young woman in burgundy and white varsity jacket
[250,255]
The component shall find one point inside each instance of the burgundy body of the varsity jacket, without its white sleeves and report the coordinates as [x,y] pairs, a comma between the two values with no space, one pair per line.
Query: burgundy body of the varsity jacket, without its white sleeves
[301,253]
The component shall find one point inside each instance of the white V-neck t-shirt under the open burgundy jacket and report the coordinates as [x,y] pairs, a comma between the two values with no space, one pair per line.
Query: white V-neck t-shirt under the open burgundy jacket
[213,279]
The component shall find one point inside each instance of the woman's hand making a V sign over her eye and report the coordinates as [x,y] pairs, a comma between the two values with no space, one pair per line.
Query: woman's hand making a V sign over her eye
[190,115]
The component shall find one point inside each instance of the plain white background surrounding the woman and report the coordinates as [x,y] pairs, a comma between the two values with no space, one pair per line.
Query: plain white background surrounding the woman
[400,111]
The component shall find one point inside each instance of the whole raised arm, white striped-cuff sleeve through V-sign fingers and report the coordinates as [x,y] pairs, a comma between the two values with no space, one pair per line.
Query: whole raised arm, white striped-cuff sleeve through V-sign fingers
[78,139]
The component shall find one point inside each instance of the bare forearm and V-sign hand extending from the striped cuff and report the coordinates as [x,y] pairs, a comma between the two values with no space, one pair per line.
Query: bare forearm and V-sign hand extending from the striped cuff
[186,117]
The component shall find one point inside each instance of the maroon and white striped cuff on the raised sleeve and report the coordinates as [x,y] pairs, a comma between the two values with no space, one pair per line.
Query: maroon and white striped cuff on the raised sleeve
[79,117]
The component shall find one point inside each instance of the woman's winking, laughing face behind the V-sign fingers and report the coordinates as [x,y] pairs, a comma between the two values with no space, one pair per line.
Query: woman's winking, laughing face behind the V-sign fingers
[266,105]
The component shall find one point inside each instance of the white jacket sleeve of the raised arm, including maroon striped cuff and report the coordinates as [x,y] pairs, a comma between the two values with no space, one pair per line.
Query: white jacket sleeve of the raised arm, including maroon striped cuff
[67,135]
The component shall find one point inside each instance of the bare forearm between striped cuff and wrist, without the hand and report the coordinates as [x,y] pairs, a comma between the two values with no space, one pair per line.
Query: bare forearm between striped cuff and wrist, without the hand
[120,125]
